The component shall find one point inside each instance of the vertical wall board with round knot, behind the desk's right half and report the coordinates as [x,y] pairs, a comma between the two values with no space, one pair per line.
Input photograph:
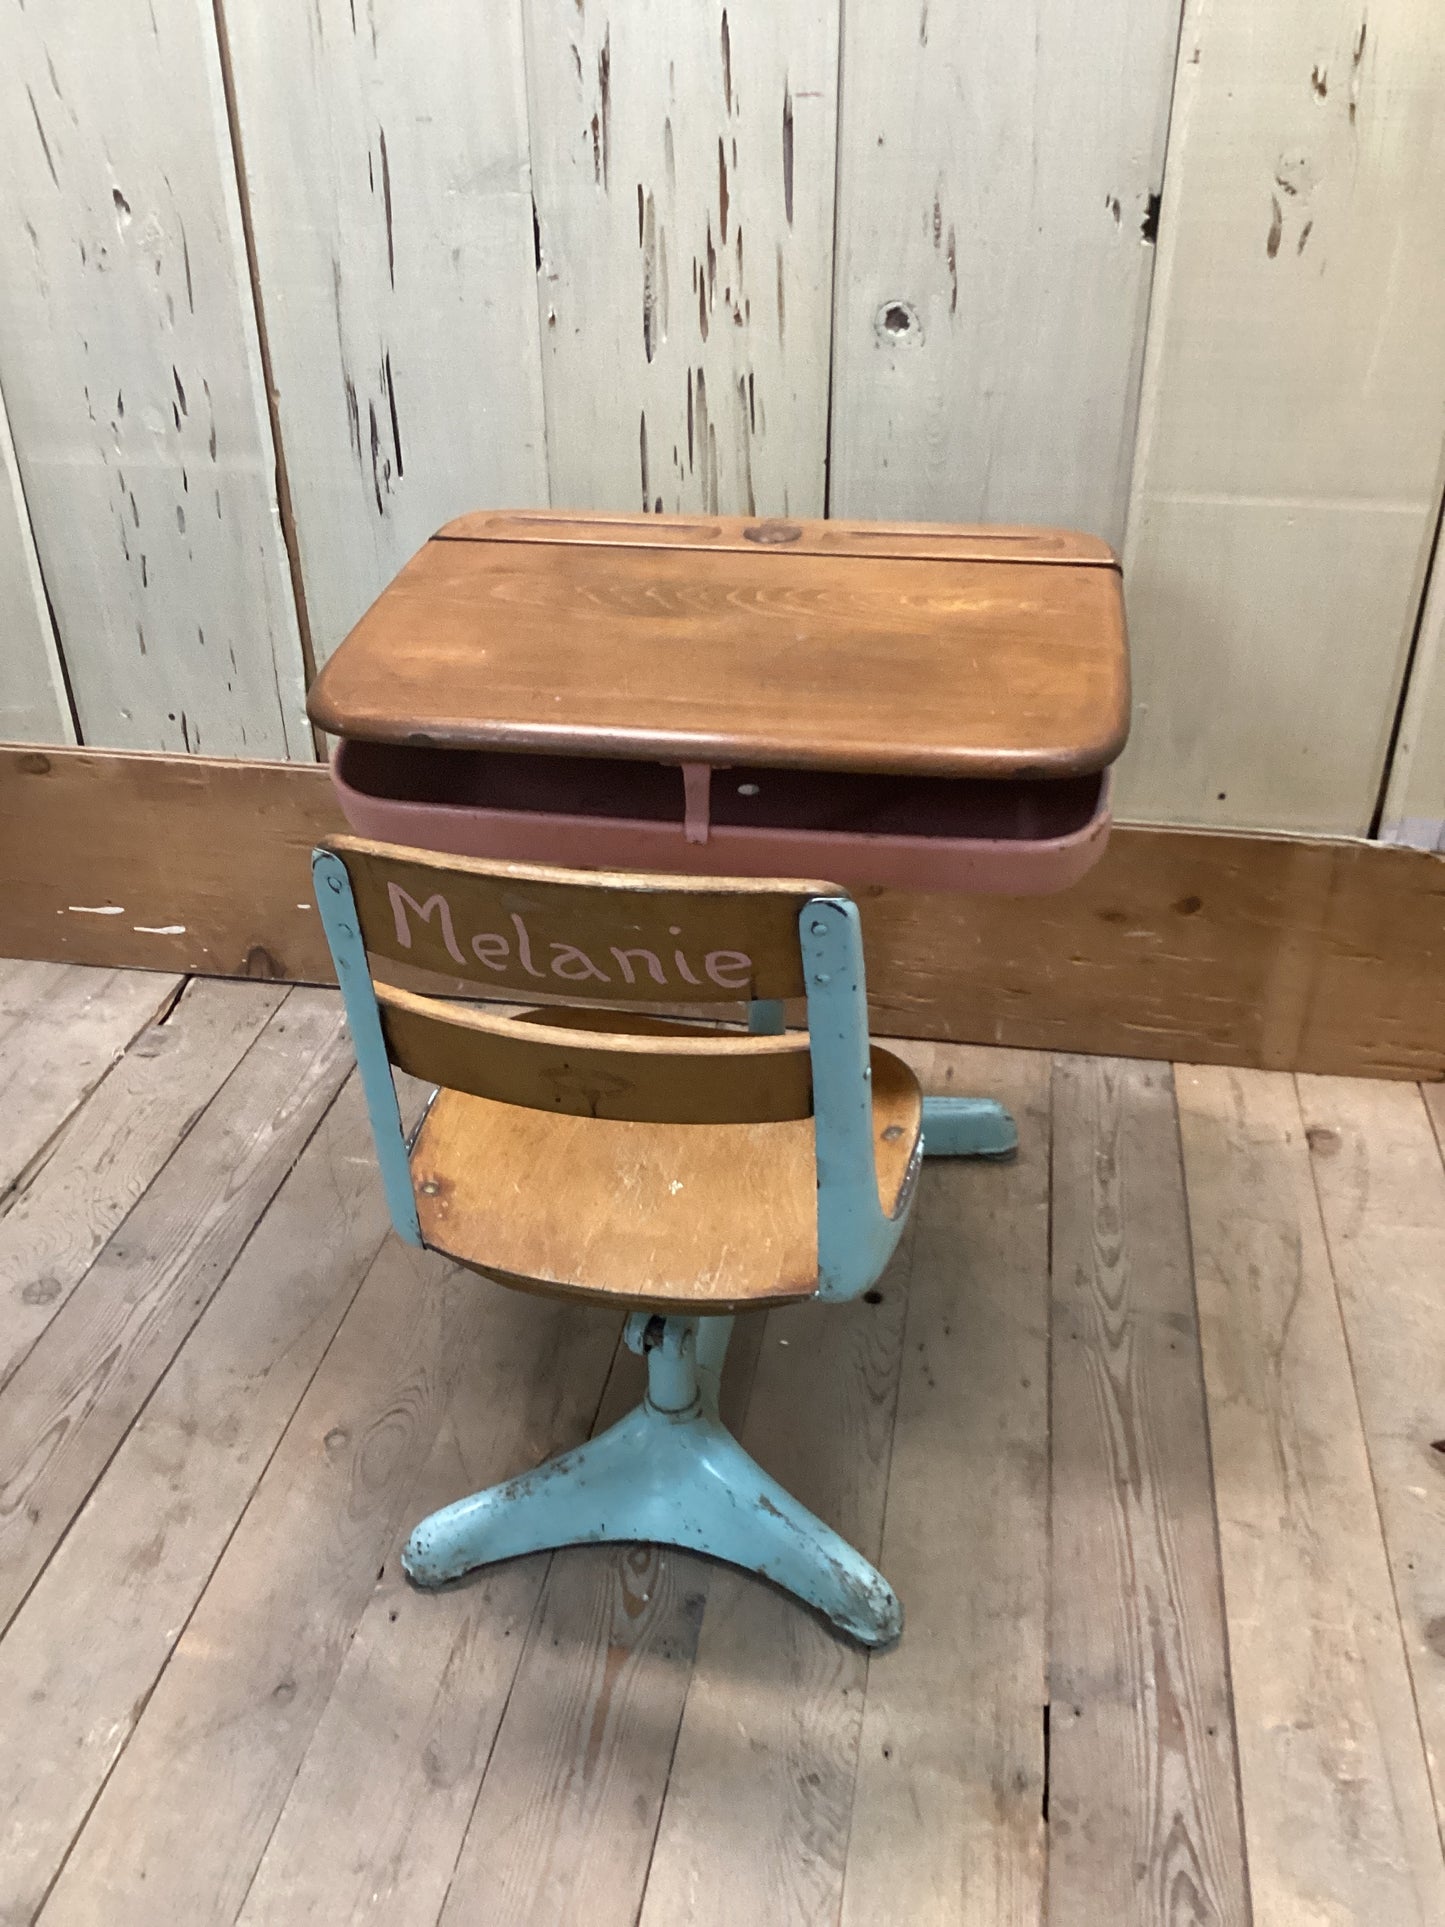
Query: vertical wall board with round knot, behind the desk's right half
[997,169]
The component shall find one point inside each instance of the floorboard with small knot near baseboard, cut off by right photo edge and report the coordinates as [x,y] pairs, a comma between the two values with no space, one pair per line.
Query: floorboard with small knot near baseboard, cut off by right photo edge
[1382,1198]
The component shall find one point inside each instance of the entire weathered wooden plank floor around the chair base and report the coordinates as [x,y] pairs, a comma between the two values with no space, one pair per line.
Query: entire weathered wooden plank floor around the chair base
[1147,1427]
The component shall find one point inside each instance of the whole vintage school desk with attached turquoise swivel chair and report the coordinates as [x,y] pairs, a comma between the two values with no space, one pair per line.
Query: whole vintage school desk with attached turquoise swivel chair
[702,699]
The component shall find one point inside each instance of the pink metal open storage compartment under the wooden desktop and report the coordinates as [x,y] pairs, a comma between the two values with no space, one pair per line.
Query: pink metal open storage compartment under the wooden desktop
[916,833]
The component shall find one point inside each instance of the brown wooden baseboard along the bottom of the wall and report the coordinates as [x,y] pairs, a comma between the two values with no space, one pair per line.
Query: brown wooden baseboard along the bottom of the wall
[1217,949]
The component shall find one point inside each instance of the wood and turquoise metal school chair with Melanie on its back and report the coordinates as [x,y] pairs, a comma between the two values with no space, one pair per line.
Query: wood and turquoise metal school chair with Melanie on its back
[675,1171]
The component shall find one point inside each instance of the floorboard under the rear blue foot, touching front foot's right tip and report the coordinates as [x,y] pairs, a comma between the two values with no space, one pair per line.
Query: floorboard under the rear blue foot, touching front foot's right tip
[949,1807]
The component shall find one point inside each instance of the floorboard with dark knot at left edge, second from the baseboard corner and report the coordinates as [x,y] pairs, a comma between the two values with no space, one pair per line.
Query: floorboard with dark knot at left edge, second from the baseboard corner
[68,1207]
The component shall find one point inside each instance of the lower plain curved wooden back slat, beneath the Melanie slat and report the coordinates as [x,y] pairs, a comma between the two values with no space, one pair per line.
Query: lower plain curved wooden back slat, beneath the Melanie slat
[658,1078]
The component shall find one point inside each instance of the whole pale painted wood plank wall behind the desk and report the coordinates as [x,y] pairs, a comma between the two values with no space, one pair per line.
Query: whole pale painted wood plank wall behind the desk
[587,255]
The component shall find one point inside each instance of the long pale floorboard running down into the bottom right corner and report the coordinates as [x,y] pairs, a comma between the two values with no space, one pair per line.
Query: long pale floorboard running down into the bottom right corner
[1338,1812]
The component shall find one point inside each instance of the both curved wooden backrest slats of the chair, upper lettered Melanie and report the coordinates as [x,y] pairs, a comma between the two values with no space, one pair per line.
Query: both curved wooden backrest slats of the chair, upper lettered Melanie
[608,936]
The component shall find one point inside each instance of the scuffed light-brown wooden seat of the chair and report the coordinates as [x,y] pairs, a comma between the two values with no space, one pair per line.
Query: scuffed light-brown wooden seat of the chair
[662,1217]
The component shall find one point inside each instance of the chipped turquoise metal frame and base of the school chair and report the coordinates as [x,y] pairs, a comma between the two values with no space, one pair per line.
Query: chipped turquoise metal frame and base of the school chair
[671,1473]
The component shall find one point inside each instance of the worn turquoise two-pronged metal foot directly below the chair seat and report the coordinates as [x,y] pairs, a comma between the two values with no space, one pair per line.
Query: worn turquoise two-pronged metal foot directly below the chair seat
[671,1479]
